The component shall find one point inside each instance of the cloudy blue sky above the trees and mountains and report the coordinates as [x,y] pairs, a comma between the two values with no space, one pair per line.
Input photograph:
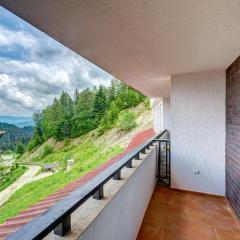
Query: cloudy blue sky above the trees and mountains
[34,68]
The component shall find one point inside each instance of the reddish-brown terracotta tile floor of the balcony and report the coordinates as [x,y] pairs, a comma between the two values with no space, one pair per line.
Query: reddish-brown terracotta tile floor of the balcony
[173,215]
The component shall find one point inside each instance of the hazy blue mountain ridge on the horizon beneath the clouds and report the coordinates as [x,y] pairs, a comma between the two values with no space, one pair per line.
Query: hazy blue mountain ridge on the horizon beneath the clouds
[17,121]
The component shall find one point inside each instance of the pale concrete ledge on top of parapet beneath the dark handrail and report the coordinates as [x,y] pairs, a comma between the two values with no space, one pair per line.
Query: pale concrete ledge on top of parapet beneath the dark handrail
[86,215]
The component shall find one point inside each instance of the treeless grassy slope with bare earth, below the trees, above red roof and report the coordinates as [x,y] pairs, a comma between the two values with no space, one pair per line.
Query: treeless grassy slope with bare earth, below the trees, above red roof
[88,152]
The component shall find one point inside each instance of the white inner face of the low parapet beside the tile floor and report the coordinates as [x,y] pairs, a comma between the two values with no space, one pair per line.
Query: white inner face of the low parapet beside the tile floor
[122,217]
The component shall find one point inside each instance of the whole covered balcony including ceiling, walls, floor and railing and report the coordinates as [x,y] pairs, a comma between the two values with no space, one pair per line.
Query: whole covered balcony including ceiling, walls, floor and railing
[185,57]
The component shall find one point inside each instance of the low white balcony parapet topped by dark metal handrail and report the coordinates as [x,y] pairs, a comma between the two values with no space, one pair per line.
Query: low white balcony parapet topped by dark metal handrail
[126,185]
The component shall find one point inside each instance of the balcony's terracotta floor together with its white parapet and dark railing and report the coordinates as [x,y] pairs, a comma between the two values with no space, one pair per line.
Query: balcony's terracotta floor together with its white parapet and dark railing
[135,197]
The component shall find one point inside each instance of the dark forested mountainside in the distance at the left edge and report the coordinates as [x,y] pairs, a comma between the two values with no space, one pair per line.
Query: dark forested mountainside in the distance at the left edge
[14,135]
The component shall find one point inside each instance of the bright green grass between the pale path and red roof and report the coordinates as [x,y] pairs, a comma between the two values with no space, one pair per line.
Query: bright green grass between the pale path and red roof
[87,156]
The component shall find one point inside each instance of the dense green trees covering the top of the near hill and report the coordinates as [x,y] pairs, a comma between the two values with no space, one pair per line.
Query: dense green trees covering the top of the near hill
[98,108]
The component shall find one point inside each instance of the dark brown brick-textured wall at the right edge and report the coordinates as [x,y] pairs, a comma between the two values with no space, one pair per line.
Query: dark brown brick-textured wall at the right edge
[233,135]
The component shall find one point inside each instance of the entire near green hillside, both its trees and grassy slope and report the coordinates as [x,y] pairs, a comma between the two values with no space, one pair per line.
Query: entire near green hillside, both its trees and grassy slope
[89,129]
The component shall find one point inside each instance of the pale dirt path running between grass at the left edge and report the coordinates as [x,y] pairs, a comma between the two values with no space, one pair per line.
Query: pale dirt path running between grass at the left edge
[25,178]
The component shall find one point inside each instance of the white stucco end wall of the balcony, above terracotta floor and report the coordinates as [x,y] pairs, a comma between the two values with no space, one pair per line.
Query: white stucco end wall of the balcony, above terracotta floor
[198,132]
